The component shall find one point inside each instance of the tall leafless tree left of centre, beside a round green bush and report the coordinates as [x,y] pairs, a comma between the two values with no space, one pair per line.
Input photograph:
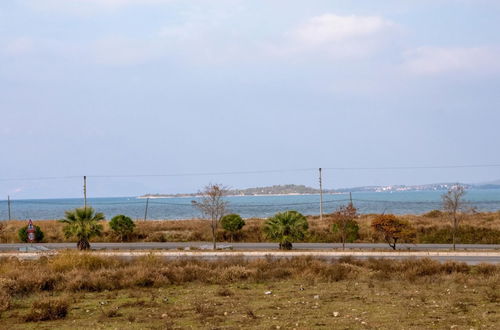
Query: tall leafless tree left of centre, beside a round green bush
[213,206]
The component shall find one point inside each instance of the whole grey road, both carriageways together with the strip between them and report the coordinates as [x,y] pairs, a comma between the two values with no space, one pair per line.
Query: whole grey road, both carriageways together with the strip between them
[471,254]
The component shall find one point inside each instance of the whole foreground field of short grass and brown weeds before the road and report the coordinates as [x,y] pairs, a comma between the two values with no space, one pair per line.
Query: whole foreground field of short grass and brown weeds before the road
[83,291]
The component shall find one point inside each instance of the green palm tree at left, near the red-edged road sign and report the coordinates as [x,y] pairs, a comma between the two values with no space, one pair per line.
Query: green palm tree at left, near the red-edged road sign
[84,224]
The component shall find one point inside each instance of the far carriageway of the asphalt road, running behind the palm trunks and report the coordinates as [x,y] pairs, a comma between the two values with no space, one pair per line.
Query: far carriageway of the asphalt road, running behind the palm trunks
[256,246]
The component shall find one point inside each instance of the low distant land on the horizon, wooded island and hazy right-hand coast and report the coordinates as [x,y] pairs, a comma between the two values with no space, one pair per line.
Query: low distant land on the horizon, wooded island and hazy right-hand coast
[292,189]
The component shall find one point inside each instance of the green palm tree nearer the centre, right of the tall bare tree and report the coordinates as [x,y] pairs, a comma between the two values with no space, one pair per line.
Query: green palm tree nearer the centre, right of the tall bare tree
[286,227]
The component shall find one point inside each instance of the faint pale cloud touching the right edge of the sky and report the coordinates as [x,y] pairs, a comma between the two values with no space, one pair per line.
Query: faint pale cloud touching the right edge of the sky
[442,60]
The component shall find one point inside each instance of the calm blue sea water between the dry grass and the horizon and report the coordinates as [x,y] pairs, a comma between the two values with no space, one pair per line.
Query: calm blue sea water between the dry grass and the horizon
[249,206]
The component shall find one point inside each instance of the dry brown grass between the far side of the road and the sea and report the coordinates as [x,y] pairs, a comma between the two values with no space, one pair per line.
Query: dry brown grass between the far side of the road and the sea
[430,228]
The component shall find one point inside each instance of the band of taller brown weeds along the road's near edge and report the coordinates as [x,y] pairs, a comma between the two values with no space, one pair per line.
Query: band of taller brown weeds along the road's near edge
[86,273]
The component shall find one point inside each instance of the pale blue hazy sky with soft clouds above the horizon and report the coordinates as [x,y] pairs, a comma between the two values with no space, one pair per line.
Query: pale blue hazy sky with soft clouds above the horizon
[147,87]
